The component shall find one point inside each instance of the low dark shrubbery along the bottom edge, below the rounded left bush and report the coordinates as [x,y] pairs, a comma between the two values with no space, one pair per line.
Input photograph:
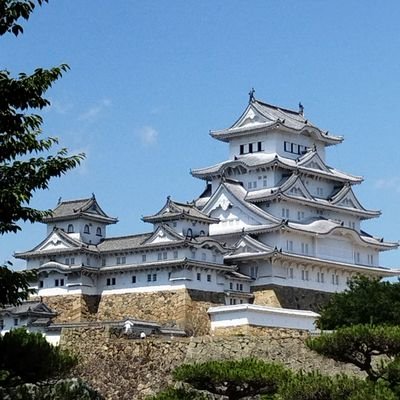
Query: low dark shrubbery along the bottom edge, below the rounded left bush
[67,389]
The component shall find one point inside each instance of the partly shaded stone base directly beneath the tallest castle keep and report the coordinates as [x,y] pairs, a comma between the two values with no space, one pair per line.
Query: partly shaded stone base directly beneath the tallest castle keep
[294,298]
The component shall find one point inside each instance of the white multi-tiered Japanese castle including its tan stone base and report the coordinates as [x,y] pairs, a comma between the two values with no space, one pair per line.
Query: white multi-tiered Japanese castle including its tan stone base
[276,226]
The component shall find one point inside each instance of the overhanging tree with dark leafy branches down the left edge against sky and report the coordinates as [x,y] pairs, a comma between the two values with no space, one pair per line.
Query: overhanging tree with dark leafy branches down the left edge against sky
[25,162]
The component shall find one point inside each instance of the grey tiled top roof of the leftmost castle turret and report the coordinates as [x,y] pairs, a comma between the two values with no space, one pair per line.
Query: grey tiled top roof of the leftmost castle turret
[73,209]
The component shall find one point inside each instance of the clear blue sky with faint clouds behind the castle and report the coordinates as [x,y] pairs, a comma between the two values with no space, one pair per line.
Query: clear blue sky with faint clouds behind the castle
[149,79]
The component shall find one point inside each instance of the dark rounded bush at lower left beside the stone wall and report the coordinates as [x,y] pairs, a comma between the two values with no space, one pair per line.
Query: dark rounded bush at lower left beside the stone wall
[29,358]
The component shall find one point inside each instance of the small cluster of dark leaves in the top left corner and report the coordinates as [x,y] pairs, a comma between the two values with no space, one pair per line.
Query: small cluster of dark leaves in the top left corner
[12,10]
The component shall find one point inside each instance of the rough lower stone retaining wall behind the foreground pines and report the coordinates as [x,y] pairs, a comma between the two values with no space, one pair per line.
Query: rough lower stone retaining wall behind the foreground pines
[133,369]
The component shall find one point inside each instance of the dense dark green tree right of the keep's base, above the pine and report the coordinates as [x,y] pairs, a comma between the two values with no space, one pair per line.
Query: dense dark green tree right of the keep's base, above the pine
[366,301]
